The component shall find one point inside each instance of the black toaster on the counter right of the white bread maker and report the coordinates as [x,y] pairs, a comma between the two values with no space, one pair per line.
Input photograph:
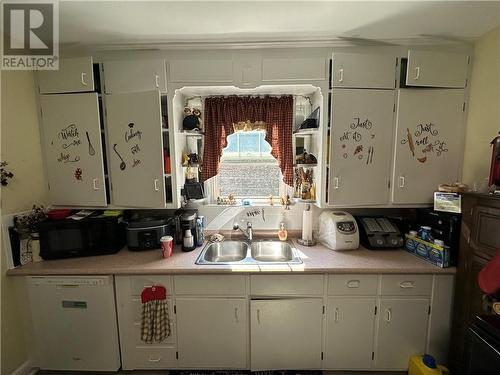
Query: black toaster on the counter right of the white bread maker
[379,233]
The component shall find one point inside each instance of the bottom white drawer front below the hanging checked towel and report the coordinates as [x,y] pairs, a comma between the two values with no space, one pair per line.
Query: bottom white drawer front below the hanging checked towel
[149,358]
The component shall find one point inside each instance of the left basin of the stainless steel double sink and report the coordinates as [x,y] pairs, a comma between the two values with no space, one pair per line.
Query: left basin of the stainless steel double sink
[223,252]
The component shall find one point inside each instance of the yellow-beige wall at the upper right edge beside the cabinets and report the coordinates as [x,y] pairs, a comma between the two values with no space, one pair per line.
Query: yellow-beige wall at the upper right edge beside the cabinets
[483,122]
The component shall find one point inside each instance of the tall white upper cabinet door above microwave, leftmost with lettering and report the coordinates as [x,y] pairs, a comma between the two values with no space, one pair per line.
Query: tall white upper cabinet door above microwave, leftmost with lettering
[71,137]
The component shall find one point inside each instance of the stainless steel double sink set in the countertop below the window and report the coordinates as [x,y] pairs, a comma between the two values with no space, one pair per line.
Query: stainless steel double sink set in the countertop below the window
[244,252]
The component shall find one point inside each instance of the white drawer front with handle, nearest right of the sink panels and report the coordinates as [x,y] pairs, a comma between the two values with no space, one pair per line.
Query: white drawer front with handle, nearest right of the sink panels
[349,285]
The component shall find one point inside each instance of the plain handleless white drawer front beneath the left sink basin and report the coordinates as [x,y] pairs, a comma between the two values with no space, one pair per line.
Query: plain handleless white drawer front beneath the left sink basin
[227,285]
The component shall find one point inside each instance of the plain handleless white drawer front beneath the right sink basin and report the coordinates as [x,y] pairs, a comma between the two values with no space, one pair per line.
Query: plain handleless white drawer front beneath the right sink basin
[286,284]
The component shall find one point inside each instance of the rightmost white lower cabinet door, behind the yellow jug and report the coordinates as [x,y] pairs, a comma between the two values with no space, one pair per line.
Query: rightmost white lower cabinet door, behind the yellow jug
[402,331]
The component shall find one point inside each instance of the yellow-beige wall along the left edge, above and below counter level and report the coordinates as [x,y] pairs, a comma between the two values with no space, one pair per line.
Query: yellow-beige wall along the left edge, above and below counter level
[20,147]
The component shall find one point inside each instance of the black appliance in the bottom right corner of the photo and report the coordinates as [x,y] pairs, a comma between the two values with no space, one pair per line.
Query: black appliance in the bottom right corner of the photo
[483,349]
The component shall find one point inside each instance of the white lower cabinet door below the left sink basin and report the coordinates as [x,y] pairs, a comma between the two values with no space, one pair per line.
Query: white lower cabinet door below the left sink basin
[212,332]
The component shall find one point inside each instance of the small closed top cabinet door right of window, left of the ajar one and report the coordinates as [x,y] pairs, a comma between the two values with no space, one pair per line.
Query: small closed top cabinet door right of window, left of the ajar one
[363,70]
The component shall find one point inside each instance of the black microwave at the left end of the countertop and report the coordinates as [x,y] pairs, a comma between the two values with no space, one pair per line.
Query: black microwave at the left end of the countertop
[68,238]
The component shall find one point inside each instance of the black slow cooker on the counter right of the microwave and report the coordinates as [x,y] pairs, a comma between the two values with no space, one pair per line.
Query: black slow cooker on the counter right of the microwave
[145,233]
